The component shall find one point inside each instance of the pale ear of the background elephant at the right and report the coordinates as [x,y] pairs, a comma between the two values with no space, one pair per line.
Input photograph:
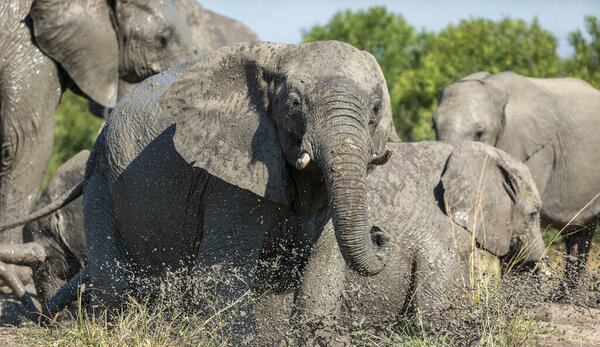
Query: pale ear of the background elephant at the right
[530,116]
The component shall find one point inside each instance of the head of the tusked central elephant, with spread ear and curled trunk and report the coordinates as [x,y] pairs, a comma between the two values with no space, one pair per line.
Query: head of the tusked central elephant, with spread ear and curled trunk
[260,115]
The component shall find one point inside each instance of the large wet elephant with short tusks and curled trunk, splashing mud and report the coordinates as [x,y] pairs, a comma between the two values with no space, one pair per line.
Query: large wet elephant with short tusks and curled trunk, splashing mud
[198,164]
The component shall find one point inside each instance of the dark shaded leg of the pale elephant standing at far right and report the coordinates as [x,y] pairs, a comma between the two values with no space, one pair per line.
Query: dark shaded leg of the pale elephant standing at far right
[578,247]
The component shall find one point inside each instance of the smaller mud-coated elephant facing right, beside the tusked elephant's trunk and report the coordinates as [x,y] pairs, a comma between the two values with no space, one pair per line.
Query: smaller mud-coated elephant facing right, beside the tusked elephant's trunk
[435,201]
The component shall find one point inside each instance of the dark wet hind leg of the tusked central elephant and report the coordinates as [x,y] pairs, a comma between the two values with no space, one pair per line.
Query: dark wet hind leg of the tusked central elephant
[108,263]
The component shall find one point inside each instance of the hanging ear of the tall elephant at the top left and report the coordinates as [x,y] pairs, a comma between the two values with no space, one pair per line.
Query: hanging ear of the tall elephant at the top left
[79,35]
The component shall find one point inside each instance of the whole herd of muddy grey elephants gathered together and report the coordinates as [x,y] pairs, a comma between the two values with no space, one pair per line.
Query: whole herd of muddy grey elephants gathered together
[270,164]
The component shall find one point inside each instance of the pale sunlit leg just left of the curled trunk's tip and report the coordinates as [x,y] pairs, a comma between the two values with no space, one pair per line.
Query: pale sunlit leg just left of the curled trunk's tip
[318,299]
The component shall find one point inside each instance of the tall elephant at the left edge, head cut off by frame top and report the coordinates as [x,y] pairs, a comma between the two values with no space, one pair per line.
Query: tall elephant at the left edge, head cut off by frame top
[85,45]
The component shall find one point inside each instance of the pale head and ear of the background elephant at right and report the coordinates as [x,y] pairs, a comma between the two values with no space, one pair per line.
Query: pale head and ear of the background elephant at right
[505,110]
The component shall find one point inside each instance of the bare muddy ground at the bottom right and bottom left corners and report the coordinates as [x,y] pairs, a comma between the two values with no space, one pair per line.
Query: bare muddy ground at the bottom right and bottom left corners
[574,321]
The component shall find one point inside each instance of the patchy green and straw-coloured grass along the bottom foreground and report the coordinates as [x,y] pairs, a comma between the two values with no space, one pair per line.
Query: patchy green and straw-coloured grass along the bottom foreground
[504,323]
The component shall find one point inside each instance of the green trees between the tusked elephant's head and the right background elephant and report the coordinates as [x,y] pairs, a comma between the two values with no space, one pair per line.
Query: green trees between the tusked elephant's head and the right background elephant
[418,66]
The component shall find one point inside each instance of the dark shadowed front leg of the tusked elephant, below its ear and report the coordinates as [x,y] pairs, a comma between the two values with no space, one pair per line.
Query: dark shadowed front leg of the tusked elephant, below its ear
[235,224]
